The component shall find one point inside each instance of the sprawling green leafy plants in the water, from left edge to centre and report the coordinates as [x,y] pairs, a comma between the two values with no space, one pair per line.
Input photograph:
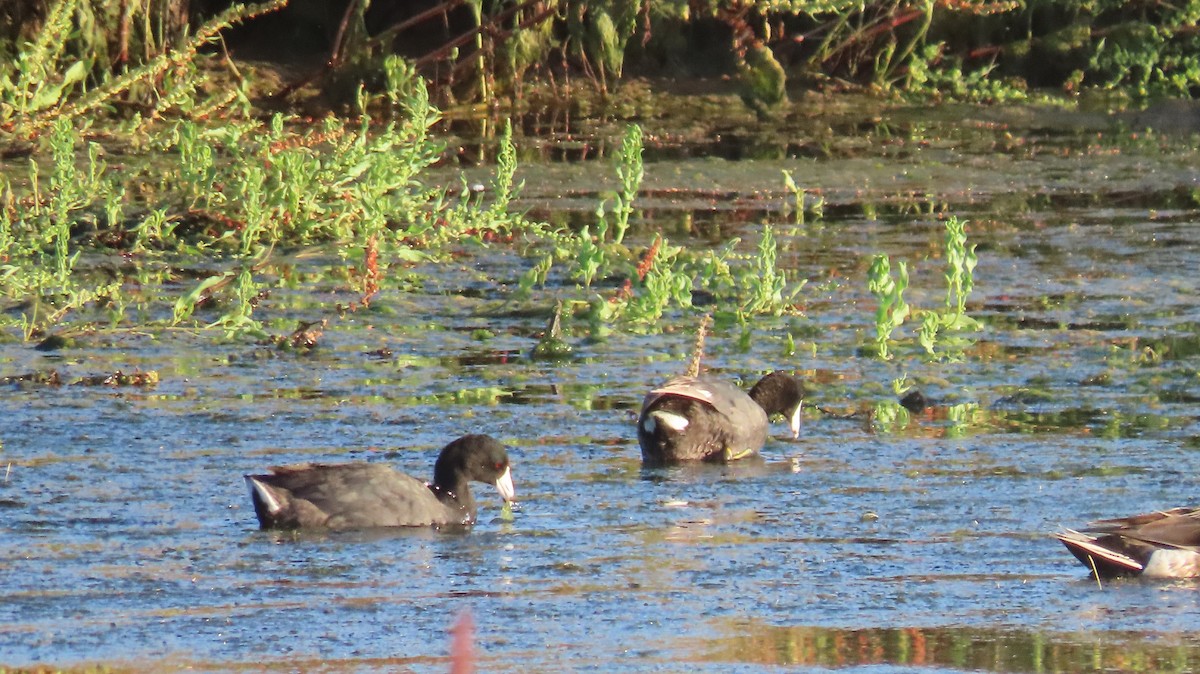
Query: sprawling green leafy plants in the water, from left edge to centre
[238,191]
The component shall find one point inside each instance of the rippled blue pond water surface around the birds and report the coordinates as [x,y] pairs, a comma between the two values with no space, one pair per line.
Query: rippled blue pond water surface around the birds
[128,539]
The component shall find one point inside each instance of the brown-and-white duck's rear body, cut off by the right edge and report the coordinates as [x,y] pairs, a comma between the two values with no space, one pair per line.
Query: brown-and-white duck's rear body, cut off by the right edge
[1156,545]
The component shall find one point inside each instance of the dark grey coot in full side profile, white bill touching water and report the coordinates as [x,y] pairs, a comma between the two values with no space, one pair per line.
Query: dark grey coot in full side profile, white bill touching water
[362,495]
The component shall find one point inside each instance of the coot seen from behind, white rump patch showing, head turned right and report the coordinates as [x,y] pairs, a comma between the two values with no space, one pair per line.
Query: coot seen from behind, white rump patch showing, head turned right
[703,419]
